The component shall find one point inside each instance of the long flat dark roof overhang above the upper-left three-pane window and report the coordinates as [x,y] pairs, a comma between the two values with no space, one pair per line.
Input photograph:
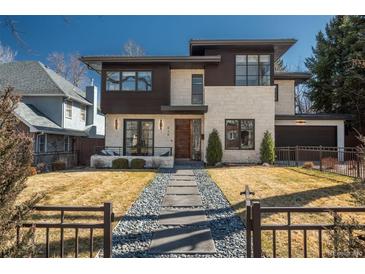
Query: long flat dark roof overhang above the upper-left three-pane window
[95,62]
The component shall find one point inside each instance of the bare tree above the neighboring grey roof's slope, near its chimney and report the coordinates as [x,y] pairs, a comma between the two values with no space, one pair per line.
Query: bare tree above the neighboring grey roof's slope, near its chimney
[71,69]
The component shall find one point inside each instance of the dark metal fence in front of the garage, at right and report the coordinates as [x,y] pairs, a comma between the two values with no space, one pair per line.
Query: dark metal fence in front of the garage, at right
[341,160]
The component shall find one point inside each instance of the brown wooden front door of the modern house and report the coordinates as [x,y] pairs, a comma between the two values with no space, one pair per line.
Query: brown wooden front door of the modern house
[183,138]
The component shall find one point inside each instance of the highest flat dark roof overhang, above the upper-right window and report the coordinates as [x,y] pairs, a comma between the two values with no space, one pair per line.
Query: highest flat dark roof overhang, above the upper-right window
[280,46]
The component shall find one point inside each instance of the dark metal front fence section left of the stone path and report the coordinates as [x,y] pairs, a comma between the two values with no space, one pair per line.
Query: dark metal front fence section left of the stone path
[105,226]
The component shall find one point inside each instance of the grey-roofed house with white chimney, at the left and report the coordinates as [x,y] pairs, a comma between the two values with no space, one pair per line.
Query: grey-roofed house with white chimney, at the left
[63,120]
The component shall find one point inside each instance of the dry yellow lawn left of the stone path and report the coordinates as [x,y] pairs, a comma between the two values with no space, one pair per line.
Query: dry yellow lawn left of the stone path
[83,188]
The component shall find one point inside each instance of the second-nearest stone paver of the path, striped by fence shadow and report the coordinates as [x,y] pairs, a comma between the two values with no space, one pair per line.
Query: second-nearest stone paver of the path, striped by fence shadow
[182,216]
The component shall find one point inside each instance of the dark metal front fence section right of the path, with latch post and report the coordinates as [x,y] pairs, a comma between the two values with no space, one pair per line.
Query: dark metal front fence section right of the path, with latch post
[254,226]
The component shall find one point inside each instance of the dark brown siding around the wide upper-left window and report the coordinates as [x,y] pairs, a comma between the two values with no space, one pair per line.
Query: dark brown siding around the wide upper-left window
[137,102]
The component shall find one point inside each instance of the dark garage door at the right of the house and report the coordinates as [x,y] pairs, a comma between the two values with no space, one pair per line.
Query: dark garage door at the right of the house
[305,136]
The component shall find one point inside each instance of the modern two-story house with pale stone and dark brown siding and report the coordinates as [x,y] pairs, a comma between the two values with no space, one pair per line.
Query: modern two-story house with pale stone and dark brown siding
[153,103]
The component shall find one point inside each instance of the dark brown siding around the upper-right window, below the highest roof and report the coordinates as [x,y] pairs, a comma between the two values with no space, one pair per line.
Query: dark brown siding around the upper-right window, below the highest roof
[223,74]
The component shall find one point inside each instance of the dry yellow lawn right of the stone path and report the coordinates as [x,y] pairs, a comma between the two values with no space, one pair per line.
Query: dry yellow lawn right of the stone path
[277,186]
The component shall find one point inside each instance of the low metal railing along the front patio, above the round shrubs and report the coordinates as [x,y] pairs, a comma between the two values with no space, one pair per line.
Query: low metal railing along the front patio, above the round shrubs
[133,151]
